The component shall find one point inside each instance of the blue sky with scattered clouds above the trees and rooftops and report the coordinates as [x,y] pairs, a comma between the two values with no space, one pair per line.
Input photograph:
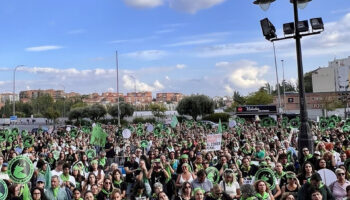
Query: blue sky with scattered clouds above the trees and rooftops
[211,47]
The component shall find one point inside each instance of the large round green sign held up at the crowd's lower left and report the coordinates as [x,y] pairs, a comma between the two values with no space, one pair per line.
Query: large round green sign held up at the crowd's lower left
[20,169]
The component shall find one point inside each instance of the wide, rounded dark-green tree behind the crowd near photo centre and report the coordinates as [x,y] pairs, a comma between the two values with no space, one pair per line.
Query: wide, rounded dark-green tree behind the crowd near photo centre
[195,106]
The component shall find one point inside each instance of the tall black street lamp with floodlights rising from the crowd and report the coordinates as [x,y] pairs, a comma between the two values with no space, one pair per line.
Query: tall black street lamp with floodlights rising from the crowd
[269,31]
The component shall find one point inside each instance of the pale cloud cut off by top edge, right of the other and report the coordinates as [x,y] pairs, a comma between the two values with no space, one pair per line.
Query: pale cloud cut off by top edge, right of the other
[192,6]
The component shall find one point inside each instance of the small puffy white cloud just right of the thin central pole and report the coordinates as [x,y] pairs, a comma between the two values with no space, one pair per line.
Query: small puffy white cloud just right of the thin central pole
[129,83]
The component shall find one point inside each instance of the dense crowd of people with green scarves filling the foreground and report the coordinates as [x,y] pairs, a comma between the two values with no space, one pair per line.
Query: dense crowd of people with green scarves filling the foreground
[176,165]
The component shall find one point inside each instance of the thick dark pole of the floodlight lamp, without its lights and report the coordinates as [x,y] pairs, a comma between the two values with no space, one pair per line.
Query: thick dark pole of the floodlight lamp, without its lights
[304,137]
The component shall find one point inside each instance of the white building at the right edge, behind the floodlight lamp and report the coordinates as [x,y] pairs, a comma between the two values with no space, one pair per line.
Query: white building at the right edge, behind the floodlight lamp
[333,78]
